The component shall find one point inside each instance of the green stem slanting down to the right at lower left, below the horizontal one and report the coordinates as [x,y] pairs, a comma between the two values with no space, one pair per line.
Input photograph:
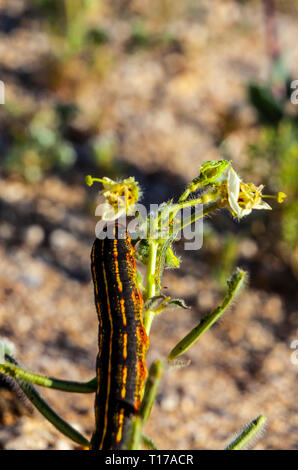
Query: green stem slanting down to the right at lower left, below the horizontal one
[44,408]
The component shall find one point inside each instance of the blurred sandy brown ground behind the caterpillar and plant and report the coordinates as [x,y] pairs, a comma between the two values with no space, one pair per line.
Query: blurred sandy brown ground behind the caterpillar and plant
[151,89]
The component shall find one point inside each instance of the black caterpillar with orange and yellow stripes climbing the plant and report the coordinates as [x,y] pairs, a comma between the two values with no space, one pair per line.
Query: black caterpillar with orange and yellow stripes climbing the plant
[122,340]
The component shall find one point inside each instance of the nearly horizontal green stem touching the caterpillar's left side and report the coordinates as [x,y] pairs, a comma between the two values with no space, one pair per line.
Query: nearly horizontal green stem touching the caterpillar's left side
[64,385]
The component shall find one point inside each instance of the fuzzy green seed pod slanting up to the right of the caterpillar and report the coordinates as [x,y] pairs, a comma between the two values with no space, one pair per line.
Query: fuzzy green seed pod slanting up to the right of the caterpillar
[234,285]
